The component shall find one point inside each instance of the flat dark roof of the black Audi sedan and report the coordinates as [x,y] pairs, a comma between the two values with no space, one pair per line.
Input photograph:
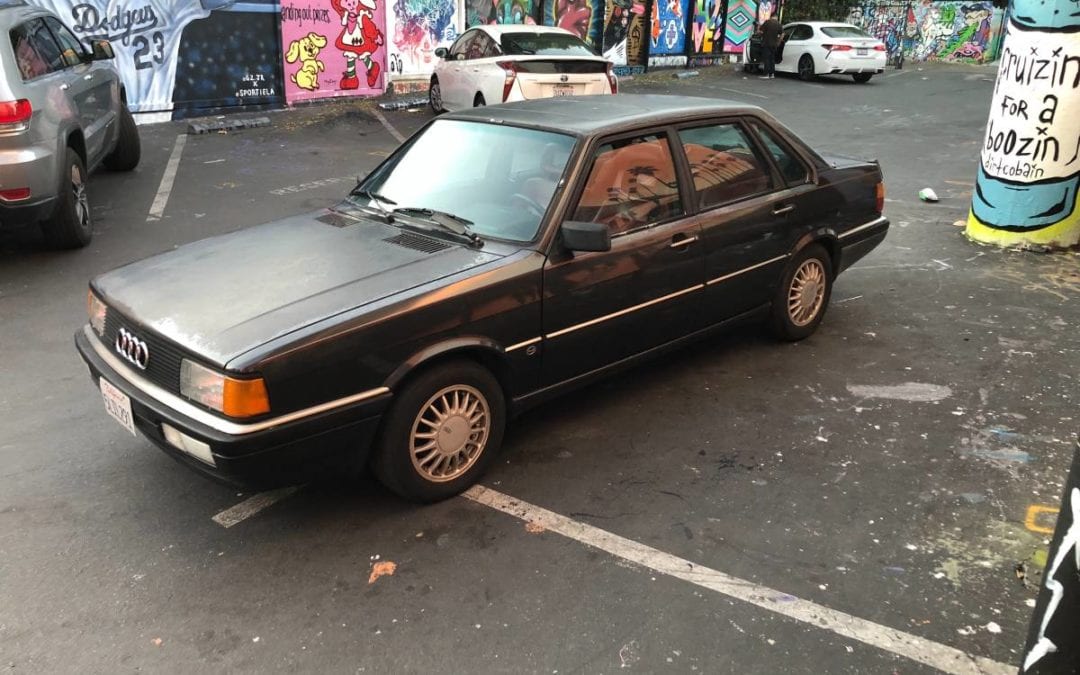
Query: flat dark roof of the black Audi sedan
[586,116]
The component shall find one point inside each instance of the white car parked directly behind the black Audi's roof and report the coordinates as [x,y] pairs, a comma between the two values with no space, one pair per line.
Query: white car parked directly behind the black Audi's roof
[490,65]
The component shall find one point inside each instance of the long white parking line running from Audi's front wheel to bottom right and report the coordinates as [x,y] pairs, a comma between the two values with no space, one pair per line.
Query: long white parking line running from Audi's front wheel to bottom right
[928,653]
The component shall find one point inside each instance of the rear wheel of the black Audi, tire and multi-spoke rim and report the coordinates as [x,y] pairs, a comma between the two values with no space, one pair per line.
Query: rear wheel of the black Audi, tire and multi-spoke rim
[803,295]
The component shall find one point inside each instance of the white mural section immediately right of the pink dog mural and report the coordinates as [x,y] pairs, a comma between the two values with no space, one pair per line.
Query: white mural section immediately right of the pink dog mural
[418,28]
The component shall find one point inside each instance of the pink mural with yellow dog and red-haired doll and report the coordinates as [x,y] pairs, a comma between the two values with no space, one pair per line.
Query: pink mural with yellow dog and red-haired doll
[334,48]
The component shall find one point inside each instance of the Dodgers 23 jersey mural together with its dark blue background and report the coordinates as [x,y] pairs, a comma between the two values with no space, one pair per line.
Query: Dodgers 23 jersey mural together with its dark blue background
[147,37]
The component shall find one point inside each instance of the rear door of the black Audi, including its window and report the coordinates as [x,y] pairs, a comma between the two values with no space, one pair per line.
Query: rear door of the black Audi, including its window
[744,213]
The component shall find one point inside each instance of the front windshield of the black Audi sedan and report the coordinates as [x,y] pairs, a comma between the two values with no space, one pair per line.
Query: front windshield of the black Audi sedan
[498,179]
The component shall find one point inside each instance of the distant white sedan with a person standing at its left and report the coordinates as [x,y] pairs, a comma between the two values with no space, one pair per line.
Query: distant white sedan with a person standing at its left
[821,48]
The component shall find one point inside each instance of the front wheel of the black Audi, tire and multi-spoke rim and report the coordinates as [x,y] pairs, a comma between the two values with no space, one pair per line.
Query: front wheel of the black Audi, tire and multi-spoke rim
[458,387]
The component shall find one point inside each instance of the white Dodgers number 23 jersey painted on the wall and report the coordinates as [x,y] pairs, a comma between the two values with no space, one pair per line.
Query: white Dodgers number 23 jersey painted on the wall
[146,37]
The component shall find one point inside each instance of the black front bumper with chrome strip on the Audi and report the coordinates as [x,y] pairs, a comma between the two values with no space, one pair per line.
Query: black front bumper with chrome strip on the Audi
[250,455]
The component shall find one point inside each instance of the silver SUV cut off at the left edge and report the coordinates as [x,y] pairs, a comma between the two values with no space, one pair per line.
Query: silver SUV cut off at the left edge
[63,113]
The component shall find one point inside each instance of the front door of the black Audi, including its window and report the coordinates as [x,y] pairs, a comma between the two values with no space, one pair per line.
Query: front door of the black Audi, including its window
[601,308]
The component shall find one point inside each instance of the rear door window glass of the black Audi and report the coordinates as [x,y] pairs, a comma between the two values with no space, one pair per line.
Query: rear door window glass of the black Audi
[725,165]
